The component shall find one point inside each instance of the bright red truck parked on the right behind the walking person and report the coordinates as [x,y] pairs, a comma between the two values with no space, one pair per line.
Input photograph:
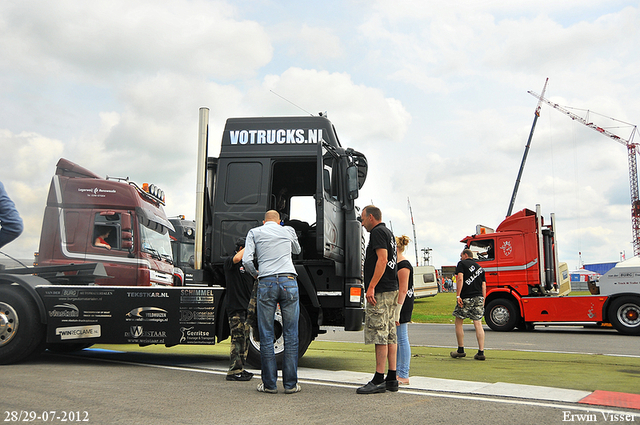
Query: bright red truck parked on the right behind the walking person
[527,285]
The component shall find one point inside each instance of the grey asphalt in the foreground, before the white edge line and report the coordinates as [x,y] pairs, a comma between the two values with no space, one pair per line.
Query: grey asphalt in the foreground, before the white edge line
[111,390]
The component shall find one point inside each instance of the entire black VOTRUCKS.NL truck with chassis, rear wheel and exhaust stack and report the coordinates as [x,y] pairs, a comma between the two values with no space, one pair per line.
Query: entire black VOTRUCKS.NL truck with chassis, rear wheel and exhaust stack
[295,165]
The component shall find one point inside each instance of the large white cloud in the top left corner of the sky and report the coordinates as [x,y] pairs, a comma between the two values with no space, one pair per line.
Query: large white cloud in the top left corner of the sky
[117,38]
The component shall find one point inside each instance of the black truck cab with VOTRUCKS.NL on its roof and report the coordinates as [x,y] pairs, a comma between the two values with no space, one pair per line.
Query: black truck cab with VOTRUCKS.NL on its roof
[296,166]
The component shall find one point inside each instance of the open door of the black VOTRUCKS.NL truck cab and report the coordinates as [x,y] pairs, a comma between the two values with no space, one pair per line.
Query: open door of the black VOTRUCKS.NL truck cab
[329,208]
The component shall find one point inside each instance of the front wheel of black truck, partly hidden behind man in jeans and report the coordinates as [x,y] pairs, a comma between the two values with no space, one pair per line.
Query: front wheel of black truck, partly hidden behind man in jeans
[304,339]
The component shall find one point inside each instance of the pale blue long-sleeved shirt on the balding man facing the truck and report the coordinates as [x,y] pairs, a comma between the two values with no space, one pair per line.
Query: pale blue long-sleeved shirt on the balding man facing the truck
[272,245]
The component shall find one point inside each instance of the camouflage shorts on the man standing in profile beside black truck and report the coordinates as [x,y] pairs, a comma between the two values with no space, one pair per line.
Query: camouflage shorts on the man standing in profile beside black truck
[379,326]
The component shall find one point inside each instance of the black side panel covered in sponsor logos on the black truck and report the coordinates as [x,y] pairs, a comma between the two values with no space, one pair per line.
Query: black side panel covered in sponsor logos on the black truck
[130,315]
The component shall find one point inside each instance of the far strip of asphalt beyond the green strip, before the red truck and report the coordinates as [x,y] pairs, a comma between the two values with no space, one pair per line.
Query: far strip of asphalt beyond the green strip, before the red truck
[563,339]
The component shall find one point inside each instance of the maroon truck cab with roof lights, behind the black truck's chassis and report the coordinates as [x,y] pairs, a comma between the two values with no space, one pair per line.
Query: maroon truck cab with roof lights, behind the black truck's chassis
[89,219]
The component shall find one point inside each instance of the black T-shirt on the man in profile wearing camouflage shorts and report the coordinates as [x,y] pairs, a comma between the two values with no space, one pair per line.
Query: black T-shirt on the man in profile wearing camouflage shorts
[381,237]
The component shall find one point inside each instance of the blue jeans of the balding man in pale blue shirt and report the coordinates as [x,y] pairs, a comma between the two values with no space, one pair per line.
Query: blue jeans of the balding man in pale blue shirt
[271,291]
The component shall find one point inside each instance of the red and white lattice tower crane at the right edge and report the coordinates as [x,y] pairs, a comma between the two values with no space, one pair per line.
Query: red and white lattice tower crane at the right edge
[632,148]
